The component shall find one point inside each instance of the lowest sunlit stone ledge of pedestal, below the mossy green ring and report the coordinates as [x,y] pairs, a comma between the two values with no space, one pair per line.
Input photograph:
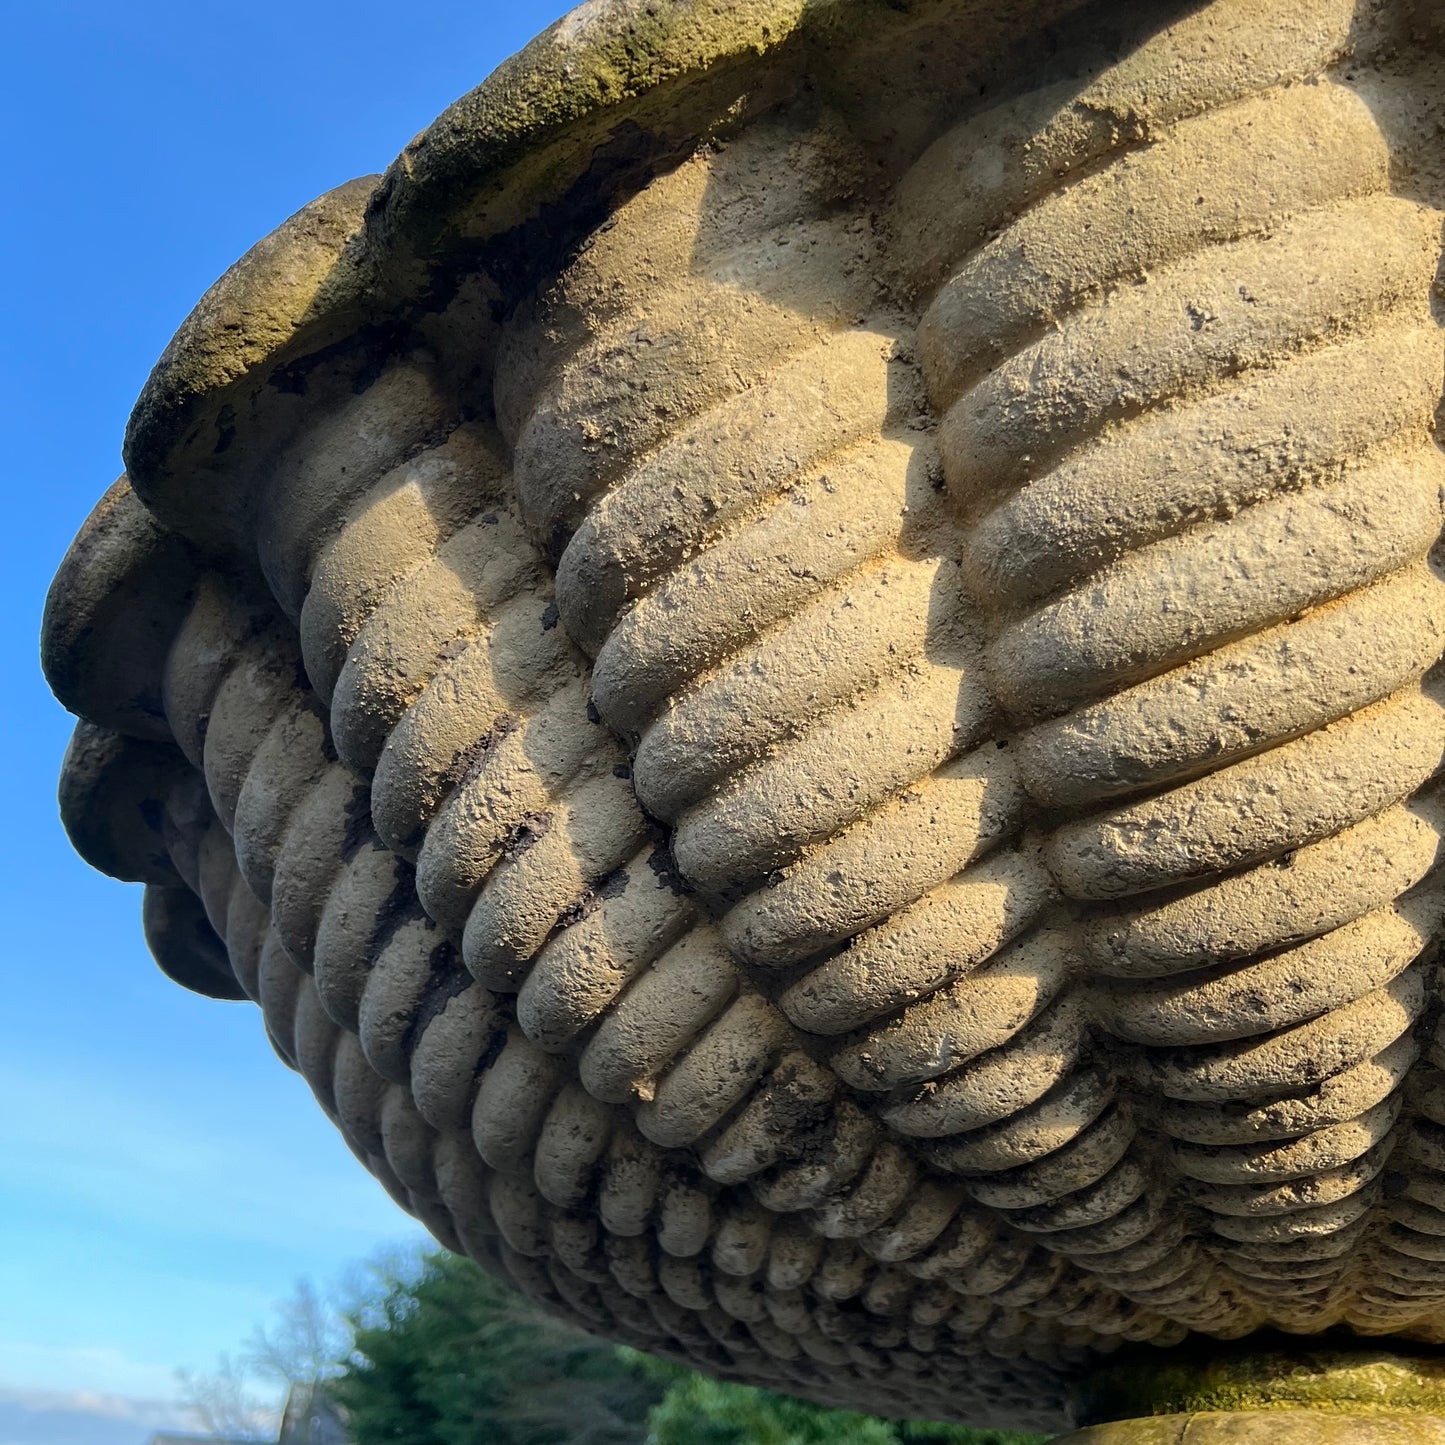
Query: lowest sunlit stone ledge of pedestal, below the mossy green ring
[1267,1428]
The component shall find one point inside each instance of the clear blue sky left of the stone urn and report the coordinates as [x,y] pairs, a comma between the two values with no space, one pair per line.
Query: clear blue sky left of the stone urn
[163,1178]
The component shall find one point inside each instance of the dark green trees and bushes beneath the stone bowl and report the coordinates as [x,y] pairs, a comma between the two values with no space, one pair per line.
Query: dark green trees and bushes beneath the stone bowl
[447,1356]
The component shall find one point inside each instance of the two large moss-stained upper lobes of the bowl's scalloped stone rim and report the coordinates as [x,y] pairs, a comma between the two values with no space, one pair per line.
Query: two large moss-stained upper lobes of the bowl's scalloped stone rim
[519,139]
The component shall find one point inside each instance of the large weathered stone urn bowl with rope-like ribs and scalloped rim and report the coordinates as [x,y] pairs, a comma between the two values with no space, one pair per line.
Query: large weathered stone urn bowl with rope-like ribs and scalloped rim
[798,664]
